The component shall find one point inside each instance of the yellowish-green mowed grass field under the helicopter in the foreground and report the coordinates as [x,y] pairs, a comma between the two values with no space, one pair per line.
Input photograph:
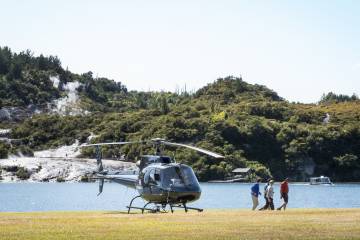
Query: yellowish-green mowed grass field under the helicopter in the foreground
[210,224]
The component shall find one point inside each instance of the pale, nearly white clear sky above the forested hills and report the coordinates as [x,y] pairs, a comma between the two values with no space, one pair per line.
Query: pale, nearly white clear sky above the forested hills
[300,49]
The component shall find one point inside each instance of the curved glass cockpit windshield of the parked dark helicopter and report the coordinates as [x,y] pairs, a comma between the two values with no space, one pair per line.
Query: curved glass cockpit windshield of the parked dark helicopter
[178,176]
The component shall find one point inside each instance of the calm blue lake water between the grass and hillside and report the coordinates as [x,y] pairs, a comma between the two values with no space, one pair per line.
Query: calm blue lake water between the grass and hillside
[82,196]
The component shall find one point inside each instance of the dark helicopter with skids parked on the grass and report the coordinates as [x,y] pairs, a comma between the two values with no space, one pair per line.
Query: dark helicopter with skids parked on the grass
[160,181]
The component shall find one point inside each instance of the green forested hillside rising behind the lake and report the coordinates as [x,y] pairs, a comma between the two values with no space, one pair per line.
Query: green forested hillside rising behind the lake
[249,124]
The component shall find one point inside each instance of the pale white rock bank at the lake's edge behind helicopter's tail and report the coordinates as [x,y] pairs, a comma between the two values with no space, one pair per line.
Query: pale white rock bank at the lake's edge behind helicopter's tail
[62,163]
